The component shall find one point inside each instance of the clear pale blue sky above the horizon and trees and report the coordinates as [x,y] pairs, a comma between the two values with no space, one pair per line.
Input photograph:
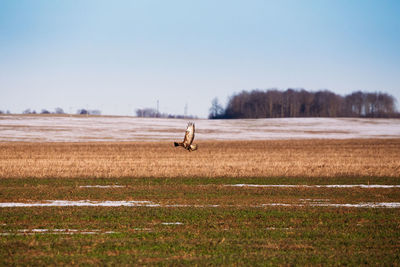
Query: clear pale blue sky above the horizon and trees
[118,56]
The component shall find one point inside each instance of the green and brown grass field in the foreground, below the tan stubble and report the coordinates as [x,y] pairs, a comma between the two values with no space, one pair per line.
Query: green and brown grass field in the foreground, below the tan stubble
[200,221]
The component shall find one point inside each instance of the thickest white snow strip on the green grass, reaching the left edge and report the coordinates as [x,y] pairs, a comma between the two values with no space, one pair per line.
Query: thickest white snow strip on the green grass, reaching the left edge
[80,203]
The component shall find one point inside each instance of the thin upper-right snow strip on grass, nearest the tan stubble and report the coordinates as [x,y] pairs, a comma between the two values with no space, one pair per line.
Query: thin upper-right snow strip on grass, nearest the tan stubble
[317,186]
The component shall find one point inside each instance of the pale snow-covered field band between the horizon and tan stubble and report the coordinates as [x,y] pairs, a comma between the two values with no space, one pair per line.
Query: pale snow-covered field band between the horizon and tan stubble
[38,128]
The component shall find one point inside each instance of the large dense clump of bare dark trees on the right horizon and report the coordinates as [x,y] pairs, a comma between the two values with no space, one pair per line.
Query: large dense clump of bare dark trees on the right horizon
[301,103]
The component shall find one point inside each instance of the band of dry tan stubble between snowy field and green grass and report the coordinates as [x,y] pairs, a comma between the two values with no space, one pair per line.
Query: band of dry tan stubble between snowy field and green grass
[312,158]
